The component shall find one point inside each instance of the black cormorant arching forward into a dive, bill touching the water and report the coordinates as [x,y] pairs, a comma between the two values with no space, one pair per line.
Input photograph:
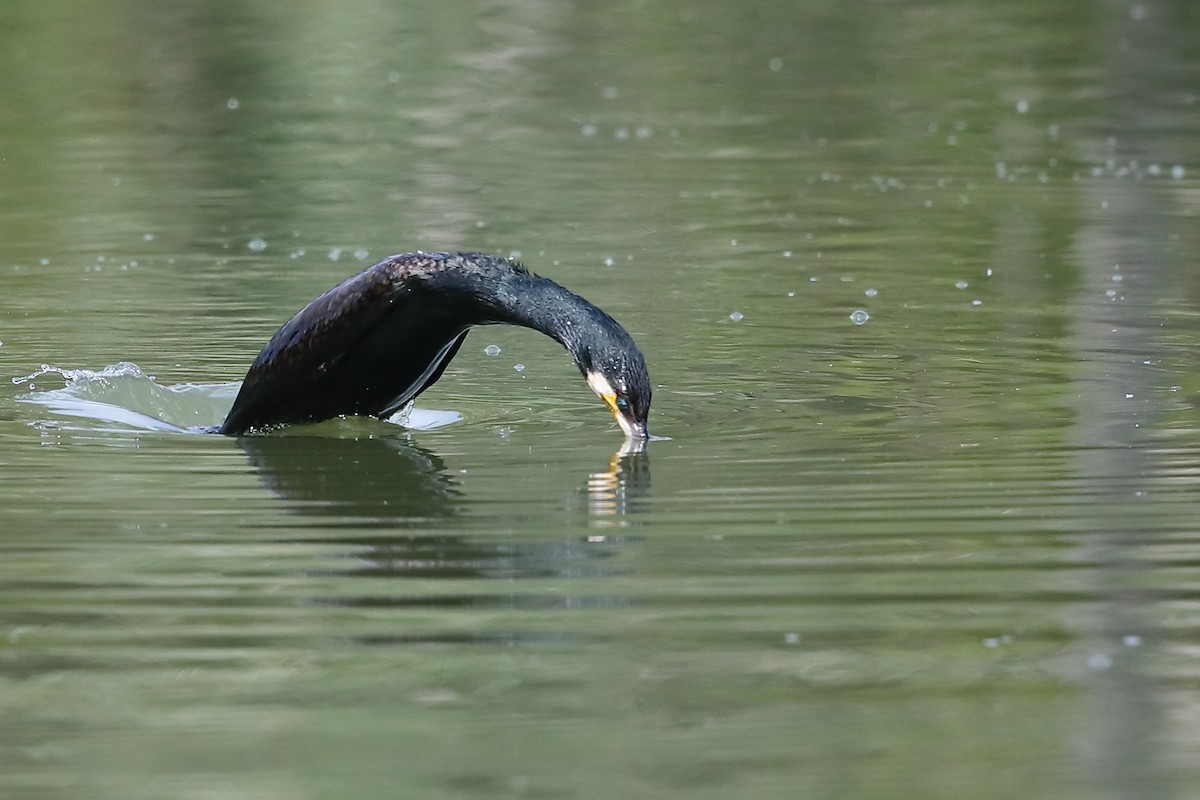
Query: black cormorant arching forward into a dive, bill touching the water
[376,341]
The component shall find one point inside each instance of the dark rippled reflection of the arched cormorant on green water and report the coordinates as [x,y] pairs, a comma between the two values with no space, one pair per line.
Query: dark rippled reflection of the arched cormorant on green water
[394,500]
